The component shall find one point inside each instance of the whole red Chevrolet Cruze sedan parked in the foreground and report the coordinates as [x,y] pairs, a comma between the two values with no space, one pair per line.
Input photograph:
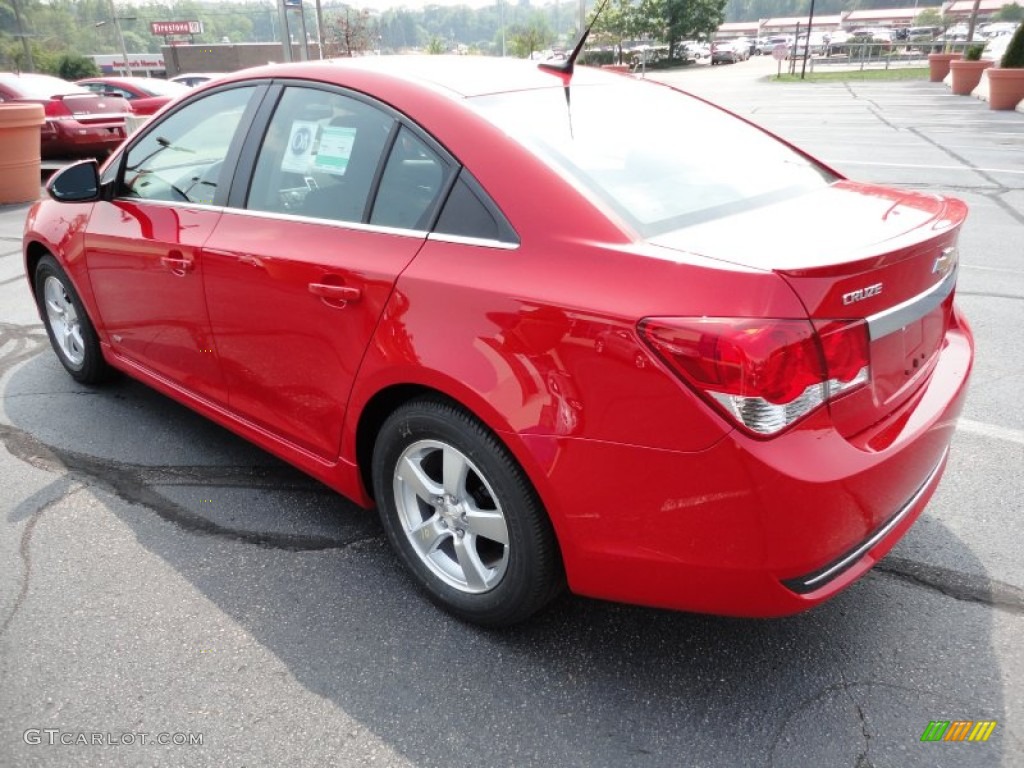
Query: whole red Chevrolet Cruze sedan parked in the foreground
[552,349]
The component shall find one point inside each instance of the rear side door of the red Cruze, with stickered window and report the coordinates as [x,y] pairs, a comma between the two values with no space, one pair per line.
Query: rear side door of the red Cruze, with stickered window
[302,266]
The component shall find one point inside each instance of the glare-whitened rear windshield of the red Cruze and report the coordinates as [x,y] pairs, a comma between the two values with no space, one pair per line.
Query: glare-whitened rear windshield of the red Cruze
[660,159]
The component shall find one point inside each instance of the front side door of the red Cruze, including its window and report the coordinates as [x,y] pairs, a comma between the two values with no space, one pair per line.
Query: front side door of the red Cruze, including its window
[143,246]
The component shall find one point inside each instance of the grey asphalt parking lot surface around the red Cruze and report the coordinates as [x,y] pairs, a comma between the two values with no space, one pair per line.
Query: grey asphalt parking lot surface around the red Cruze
[159,576]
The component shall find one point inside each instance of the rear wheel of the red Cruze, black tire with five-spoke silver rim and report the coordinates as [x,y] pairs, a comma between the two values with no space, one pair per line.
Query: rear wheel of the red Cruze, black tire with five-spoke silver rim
[459,559]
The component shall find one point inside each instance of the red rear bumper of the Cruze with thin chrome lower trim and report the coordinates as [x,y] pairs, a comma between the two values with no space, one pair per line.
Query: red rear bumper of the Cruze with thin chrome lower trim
[753,528]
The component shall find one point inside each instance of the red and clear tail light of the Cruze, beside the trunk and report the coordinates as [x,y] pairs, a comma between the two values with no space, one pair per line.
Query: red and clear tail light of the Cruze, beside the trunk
[764,374]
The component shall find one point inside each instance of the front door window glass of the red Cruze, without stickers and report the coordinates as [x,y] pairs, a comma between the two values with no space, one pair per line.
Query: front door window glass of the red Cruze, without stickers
[182,158]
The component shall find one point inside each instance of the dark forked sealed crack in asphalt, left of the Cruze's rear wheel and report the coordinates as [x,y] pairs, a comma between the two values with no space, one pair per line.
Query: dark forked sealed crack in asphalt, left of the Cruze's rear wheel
[131,483]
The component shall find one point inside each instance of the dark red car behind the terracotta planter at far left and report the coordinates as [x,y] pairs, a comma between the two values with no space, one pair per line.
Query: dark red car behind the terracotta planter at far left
[78,122]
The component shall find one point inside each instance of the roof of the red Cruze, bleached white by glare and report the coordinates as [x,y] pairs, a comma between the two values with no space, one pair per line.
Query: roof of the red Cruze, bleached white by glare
[461,76]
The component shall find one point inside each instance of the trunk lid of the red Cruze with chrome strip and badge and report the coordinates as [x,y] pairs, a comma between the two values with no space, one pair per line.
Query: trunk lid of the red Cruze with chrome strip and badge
[852,252]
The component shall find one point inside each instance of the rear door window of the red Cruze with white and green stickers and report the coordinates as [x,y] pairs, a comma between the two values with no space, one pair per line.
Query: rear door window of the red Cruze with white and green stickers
[320,156]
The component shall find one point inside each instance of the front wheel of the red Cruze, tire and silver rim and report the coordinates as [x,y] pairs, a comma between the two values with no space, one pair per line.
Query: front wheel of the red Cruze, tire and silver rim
[72,334]
